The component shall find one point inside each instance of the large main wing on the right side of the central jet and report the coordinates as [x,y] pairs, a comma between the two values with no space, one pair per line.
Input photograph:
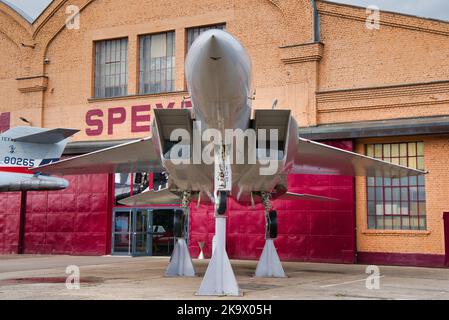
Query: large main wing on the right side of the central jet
[317,158]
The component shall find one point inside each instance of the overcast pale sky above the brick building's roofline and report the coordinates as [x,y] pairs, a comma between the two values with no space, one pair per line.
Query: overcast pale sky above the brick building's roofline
[437,9]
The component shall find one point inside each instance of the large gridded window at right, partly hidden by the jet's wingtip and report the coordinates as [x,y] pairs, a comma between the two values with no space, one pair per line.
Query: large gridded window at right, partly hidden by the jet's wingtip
[398,203]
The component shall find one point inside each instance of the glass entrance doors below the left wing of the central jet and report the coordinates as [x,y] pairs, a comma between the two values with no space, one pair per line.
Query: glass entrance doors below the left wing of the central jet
[132,232]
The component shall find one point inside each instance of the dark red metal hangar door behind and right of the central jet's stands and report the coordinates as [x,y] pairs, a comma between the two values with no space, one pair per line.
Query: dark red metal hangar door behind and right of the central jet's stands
[308,230]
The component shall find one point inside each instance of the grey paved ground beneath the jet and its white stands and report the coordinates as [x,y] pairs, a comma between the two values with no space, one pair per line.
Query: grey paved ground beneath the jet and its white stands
[108,277]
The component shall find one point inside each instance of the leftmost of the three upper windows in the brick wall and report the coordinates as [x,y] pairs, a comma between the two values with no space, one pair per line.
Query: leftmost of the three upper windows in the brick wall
[111,68]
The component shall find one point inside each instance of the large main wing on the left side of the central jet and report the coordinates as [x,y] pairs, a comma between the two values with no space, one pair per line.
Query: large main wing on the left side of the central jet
[134,156]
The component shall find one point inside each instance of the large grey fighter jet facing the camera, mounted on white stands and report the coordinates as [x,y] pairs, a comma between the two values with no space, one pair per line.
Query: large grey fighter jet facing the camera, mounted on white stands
[217,150]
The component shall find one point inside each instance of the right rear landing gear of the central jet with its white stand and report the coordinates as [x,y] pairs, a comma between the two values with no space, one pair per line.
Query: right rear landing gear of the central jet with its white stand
[269,264]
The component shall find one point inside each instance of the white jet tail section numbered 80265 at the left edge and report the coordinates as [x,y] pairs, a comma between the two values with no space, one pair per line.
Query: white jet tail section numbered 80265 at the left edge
[24,147]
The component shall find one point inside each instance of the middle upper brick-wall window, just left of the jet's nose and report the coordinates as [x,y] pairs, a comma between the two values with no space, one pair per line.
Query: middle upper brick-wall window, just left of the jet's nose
[157,63]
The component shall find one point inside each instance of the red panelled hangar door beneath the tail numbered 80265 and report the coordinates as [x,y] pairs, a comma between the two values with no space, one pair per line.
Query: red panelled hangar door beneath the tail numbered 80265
[73,221]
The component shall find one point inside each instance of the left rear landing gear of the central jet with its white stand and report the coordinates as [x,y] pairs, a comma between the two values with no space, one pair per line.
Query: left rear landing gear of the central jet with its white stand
[180,262]
